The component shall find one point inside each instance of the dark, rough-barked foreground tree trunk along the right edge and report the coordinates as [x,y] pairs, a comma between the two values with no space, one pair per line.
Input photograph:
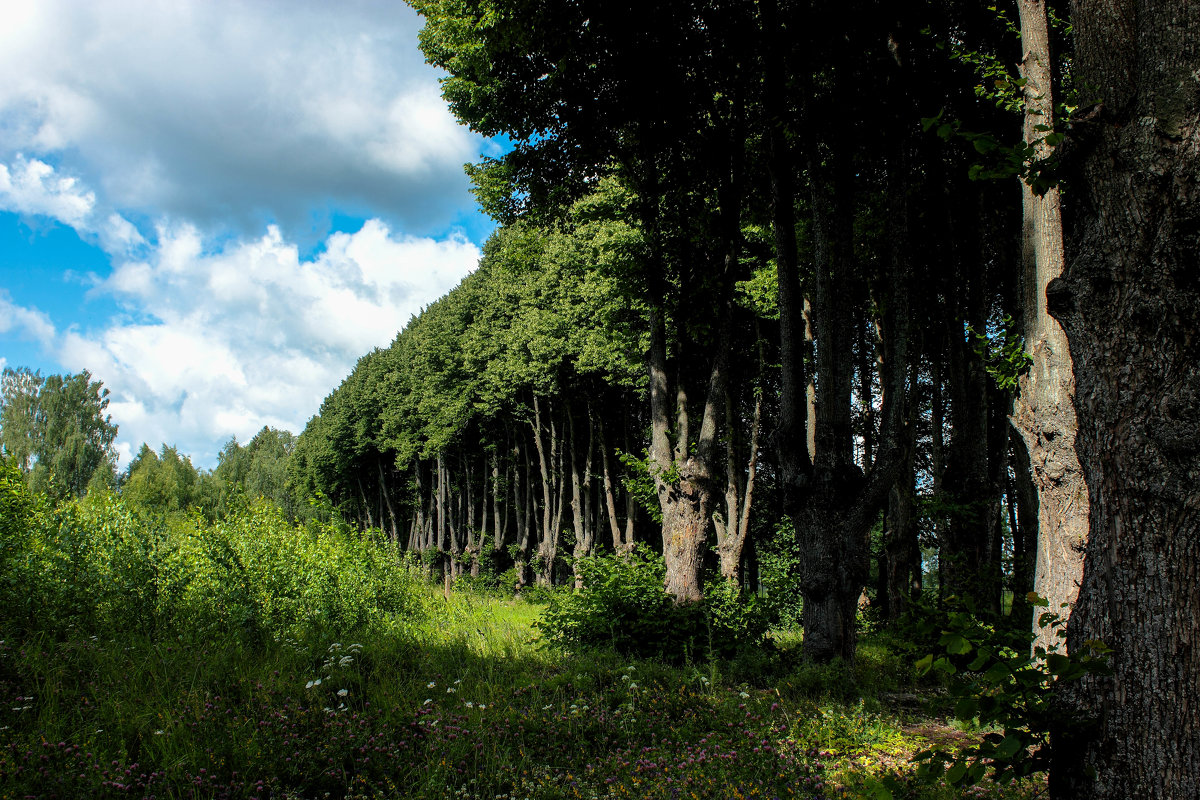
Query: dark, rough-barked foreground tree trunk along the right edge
[1130,303]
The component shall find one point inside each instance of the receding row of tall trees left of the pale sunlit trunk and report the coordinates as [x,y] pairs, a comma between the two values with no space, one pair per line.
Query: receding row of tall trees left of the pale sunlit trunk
[751,284]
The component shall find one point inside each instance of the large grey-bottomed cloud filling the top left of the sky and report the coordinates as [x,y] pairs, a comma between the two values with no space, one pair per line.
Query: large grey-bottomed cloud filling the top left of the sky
[220,112]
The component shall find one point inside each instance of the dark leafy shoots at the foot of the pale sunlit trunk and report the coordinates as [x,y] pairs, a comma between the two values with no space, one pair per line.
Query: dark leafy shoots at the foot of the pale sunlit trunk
[998,684]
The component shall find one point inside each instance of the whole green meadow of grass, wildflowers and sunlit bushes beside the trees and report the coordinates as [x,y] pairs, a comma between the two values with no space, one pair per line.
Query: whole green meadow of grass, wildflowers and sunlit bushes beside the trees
[253,659]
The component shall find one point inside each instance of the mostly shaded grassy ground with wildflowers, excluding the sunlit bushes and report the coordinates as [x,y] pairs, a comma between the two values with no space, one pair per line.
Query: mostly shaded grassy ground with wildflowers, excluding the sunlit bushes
[473,708]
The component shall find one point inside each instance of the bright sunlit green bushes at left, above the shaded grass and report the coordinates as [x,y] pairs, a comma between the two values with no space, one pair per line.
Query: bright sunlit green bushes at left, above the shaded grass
[94,566]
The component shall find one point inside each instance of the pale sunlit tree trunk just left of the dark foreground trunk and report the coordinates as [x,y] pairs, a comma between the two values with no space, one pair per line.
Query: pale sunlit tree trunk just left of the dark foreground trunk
[1045,412]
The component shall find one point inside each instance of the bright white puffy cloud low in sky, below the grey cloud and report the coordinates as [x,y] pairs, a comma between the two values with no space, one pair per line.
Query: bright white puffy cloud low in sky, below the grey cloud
[235,338]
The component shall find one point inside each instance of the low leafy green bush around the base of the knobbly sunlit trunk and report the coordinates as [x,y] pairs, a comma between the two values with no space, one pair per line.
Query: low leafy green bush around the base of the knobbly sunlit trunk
[625,606]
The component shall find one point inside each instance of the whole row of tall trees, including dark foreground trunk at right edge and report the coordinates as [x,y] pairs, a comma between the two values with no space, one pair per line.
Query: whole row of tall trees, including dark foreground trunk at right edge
[823,300]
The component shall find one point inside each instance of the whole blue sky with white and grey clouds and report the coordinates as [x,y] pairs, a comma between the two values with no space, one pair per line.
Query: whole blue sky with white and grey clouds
[218,207]
